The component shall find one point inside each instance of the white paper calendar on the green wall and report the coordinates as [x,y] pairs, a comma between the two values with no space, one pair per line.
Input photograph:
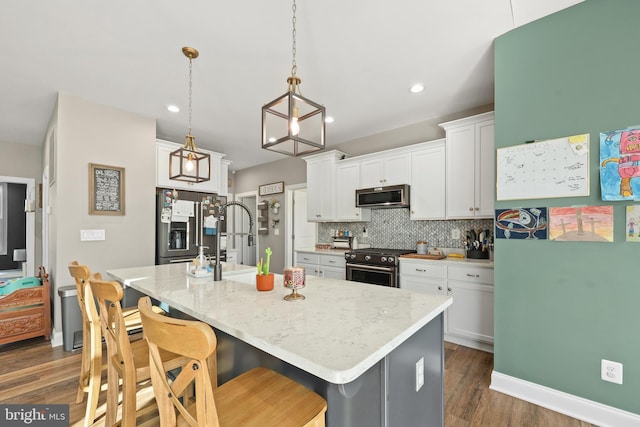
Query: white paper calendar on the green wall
[545,169]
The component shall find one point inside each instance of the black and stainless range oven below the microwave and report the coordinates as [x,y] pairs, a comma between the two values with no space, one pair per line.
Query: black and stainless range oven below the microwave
[375,266]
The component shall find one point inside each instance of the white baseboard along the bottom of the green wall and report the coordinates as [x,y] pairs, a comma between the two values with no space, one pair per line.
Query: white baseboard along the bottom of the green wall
[568,404]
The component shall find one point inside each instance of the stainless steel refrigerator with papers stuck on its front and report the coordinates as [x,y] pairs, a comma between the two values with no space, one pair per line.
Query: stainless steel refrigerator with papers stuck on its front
[180,225]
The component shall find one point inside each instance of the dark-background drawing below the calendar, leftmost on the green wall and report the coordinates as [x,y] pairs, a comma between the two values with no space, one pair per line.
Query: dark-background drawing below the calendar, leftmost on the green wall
[521,223]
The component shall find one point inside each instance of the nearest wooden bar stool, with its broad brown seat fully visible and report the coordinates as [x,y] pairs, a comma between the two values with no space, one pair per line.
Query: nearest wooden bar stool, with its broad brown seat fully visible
[257,398]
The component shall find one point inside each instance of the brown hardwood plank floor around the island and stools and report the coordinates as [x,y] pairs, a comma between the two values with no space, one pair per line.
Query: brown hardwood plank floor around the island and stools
[33,372]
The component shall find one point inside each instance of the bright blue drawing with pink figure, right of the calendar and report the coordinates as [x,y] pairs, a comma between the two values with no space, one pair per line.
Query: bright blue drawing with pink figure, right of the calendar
[620,164]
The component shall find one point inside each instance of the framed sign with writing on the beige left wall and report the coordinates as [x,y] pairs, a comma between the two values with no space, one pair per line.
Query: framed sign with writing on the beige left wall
[106,190]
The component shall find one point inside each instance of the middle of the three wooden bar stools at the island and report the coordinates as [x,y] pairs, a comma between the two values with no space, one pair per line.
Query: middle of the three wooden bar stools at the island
[127,361]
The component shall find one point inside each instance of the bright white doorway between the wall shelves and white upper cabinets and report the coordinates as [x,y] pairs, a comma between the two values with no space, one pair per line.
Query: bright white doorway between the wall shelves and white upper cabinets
[301,234]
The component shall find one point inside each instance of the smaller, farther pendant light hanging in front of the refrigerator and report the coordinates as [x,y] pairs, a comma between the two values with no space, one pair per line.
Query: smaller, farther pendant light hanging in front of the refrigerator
[187,163]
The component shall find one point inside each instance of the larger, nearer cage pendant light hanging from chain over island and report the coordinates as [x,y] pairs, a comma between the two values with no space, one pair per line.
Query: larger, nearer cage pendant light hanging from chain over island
[292,124]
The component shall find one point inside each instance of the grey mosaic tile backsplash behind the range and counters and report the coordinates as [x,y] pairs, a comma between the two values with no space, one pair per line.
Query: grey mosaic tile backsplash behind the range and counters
[393,228]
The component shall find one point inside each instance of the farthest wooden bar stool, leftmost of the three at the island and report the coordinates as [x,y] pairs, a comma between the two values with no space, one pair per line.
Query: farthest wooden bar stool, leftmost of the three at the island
[91,366]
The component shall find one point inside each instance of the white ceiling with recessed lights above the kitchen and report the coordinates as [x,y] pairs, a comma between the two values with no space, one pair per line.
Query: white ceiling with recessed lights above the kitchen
[358,58]
